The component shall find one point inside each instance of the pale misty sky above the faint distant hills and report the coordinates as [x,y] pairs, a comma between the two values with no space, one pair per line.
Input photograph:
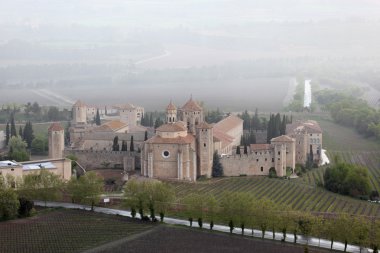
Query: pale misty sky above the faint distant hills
[192,13]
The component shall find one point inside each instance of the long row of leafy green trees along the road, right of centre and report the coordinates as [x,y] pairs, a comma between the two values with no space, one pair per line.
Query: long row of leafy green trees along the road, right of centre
[242,210]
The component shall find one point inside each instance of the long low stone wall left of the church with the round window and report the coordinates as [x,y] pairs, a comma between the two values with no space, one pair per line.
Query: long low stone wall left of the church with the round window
[106,159]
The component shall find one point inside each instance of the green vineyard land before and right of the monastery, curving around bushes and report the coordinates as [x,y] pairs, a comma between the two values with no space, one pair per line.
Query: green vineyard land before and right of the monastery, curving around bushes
[303,193]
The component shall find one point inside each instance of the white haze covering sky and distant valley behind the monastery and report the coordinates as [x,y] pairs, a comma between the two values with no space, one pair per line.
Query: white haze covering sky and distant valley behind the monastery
[229,54]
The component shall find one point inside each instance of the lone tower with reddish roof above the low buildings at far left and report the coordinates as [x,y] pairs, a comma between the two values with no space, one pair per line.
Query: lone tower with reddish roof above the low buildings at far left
[56,141]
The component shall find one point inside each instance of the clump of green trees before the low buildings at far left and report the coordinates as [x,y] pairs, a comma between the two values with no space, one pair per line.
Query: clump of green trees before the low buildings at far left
[17,194]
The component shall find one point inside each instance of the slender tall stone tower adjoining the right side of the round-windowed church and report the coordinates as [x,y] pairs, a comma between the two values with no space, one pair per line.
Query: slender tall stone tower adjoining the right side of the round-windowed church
[205,149]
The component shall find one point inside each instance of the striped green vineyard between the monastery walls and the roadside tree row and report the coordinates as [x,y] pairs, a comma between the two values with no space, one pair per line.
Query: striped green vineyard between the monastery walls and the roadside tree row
[299,195]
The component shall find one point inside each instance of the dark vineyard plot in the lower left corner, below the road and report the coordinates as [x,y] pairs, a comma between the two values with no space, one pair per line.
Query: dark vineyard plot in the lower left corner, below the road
[66,231]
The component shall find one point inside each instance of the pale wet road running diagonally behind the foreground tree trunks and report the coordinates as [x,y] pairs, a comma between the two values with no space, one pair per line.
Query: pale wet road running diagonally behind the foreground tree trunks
[312,241]
